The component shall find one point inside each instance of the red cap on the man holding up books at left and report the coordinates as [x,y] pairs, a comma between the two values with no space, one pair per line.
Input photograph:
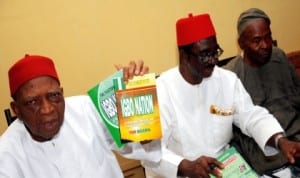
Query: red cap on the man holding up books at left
[29,68]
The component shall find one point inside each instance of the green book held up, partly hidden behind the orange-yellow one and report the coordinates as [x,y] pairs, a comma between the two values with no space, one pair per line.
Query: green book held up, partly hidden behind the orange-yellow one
[103,97]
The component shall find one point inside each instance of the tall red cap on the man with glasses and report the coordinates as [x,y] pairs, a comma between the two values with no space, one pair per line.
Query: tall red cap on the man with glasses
[193,29]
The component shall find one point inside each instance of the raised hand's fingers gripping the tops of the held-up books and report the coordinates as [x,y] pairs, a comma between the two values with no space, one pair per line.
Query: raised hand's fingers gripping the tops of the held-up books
[133,68]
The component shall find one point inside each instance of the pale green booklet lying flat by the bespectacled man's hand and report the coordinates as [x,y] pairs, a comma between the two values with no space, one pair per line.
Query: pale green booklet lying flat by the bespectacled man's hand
[235,165]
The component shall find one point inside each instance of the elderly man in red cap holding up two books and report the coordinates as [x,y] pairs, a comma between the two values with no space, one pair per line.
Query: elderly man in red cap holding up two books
[58,137]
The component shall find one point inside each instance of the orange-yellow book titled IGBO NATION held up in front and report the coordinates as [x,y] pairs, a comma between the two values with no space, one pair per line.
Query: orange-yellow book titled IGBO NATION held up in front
[138,110]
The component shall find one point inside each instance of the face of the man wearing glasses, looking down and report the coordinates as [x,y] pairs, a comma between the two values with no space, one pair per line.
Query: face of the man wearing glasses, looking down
[199,61]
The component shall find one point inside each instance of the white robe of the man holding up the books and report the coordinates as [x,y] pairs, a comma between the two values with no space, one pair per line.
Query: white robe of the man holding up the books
[81,149]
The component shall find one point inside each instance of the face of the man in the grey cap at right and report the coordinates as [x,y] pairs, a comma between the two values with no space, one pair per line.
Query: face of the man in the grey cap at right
[256,42]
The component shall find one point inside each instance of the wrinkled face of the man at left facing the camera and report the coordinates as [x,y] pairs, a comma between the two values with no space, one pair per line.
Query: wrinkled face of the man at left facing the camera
[39,103]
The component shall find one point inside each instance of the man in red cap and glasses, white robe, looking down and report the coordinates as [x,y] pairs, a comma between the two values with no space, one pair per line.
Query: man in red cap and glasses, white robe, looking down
[199,104]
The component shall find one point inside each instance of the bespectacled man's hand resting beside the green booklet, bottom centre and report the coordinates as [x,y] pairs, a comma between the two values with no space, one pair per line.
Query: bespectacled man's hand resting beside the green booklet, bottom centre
[200,168]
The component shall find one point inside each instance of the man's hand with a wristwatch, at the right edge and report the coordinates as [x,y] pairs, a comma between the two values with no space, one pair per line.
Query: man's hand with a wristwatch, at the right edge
[290,149]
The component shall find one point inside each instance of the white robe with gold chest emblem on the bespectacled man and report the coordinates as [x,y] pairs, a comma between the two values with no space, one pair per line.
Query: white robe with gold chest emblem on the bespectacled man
[190,130]
